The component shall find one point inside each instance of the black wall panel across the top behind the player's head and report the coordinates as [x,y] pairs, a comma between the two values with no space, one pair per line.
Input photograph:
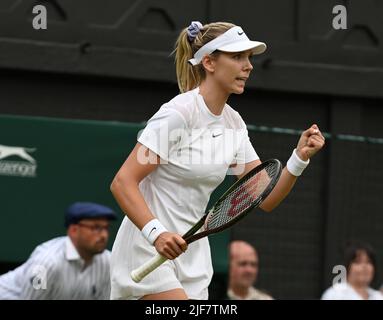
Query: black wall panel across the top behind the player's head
[133,39]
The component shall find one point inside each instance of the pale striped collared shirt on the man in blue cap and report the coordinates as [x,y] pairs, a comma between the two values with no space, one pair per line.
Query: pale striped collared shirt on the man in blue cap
[56,271]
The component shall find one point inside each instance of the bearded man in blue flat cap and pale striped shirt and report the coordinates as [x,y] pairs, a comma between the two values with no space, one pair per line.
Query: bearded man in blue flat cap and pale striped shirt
[75,266]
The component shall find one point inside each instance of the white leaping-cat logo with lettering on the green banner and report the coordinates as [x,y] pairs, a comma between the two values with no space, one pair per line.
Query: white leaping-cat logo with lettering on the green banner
[25,168]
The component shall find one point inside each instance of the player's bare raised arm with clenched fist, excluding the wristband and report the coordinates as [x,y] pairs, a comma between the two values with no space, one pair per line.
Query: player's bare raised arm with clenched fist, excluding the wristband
[310,142]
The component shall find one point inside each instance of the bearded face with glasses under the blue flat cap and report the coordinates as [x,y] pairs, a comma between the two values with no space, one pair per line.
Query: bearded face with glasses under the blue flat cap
[91,235]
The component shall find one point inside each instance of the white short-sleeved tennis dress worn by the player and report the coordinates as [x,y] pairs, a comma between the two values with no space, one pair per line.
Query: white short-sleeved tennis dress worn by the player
[197,148]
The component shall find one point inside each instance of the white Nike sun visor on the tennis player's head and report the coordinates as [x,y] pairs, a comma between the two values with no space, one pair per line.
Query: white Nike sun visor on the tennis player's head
[233,40]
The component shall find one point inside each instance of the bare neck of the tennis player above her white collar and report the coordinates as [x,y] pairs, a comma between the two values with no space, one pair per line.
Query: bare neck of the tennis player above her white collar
[214,97]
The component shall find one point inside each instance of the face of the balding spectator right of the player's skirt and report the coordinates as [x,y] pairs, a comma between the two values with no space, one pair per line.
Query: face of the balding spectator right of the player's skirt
[243,266]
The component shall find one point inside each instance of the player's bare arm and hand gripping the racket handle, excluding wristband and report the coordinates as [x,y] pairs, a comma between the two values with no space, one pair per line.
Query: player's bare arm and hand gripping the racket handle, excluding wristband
[128,195]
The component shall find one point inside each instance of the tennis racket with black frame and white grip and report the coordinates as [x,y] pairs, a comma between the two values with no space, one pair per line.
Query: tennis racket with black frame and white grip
[244,195]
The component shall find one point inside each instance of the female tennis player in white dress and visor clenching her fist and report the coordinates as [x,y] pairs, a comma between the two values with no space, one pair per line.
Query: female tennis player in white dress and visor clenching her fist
[182,155]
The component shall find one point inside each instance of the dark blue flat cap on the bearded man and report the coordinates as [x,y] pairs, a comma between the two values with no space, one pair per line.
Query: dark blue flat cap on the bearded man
[87,210]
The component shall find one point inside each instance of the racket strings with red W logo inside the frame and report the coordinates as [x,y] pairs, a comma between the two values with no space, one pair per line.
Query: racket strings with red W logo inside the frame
[241,198]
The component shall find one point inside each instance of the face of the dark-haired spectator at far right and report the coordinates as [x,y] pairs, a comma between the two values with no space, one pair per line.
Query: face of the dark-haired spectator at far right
[361,271]
